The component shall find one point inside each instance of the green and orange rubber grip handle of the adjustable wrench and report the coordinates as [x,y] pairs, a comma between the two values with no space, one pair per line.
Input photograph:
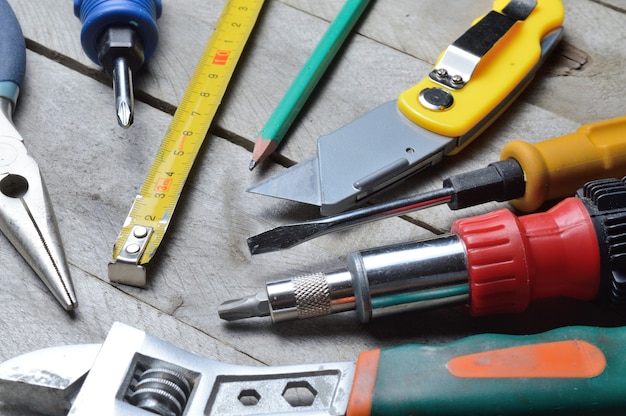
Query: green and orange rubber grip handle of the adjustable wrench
[572,371]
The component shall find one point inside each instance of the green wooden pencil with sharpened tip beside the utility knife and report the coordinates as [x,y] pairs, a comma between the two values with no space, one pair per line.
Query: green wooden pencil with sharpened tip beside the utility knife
[279,122]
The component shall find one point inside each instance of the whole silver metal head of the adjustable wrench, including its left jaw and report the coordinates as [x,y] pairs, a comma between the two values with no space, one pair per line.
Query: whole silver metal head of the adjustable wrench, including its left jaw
[134,373]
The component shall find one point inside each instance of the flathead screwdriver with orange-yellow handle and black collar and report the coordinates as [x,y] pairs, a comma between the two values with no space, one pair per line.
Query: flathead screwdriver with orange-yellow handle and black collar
[527,175]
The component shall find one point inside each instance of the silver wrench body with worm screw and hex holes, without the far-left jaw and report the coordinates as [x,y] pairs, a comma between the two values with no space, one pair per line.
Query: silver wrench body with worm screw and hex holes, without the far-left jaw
[136,371]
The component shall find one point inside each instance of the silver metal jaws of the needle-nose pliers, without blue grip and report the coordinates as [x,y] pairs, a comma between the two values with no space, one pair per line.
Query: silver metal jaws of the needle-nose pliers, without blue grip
[26,215]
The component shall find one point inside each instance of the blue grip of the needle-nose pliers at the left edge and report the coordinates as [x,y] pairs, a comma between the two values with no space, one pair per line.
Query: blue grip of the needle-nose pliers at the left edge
[12,52]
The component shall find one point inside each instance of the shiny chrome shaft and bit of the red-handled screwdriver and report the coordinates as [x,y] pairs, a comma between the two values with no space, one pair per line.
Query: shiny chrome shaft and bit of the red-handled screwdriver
[376,282]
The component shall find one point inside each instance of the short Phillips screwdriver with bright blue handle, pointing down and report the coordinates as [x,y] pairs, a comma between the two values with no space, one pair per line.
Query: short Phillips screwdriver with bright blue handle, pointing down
[119,35]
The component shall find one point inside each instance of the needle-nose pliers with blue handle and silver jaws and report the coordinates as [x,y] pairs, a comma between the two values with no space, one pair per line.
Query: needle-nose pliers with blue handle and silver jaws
[26,215]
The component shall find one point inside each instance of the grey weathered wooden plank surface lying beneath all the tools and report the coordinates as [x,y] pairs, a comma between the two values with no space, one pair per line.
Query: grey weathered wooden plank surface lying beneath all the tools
[93,169]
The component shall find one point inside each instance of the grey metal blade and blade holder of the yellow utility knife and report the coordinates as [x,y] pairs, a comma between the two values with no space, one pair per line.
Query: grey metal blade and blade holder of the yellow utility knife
[358,160]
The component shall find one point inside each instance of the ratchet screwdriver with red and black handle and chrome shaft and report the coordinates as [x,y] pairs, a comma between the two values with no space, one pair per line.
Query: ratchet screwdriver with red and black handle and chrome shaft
[495,263]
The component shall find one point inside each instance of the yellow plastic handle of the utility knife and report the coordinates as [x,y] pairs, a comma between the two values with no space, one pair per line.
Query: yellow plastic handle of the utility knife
[497,75]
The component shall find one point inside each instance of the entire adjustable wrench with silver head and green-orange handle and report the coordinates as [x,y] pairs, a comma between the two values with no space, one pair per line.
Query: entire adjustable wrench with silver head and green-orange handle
[572,370]
